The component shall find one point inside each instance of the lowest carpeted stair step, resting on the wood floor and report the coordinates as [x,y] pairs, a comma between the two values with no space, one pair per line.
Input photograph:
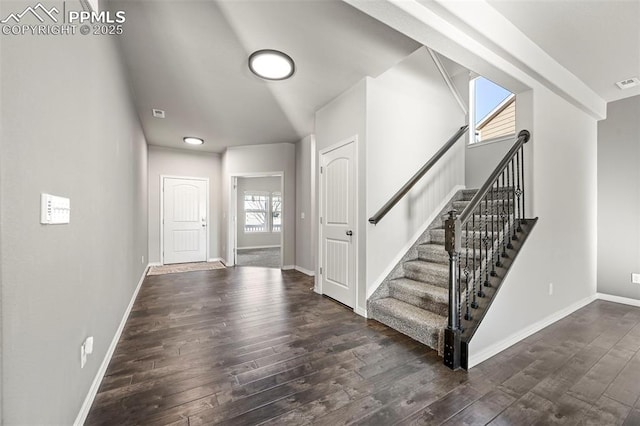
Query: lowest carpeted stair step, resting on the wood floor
[424,326]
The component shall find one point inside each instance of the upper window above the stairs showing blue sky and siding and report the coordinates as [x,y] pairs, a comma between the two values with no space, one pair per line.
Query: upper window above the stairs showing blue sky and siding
[493,111]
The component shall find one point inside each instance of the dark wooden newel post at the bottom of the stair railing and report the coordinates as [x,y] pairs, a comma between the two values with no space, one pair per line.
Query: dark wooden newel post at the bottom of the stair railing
[452,333]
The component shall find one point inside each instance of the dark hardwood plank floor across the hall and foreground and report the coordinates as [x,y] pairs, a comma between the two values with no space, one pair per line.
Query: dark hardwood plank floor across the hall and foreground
[250,346]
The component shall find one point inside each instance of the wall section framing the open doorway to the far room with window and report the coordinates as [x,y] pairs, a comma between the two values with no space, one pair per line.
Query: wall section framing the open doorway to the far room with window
[262,159]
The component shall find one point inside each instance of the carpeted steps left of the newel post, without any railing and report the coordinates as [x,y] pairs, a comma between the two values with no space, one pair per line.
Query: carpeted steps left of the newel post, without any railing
[414,298]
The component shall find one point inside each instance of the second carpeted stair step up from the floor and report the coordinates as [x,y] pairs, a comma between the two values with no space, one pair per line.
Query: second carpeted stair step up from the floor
[425,296]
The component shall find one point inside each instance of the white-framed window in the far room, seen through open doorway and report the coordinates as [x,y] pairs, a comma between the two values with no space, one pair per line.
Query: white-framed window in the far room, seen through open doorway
[262,212]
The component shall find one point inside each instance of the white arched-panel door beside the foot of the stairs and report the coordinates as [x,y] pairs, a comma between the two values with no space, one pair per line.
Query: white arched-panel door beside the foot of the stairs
[338,205]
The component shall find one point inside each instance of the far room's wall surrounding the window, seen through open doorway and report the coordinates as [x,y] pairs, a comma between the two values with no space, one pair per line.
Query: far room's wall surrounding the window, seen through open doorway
[269,185]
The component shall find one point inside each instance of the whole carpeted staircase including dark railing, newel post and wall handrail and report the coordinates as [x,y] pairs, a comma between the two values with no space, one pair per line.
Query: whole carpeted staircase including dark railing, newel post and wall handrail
[443,286]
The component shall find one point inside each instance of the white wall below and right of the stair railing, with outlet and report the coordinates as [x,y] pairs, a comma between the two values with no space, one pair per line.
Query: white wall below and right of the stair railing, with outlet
[562,247]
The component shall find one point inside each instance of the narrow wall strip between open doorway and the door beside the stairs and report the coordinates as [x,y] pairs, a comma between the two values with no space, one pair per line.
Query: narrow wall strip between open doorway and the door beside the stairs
[305,205]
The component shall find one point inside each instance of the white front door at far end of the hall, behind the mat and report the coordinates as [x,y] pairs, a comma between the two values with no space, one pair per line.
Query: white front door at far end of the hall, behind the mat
[185,220]
